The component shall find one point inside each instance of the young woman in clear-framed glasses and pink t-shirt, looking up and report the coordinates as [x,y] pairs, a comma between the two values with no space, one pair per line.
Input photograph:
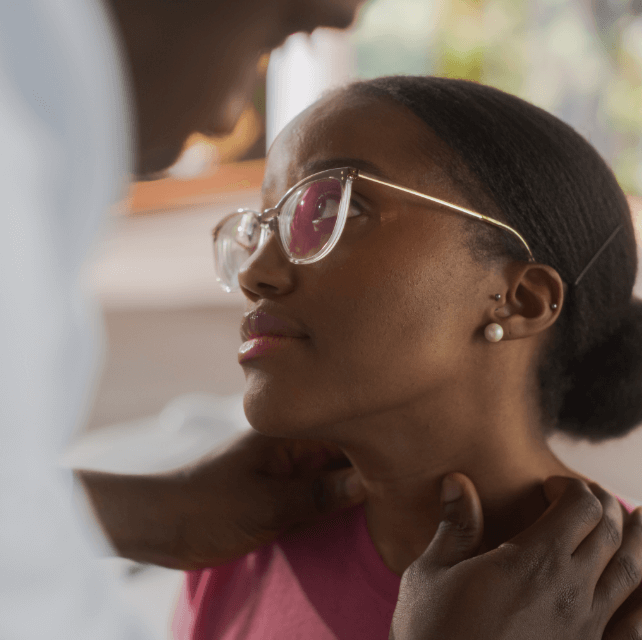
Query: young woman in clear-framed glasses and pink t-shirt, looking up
[446,281]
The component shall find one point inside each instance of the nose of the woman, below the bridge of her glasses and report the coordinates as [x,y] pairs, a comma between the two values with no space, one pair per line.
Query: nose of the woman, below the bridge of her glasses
[267,273]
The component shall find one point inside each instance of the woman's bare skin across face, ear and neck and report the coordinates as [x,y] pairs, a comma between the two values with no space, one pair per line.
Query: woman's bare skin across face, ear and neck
[395,369]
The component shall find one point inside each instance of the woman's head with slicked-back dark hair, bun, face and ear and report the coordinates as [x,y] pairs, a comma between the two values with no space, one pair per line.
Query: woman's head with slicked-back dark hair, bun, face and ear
[393,318]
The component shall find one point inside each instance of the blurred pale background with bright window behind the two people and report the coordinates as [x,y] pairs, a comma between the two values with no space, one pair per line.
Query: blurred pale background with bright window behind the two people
[170,386]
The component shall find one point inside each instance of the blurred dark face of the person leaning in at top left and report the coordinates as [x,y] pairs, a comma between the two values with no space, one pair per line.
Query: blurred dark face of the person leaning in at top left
[193,62]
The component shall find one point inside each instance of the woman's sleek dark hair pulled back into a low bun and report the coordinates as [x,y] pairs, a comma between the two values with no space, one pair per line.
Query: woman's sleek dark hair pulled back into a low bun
[527,168]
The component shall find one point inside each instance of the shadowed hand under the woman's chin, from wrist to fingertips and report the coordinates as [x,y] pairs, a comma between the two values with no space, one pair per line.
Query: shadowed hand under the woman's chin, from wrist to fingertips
[256,488]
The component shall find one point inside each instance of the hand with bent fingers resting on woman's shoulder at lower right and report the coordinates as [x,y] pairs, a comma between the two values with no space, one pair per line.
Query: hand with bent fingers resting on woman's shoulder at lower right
[563,578]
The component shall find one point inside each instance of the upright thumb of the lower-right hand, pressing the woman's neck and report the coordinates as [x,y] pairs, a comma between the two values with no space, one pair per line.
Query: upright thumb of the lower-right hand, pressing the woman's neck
[460,531]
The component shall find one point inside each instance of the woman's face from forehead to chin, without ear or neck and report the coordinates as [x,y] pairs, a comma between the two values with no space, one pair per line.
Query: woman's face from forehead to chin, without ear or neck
[392,315]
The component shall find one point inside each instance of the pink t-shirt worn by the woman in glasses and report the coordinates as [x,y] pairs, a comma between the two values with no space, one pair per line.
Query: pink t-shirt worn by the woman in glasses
[327,583]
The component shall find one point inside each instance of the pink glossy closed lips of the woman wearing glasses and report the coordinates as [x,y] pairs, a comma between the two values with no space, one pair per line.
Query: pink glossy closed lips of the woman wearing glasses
[264,333]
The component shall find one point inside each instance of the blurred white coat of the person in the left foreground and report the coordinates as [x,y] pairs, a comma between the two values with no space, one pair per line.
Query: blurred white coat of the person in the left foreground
[64,140]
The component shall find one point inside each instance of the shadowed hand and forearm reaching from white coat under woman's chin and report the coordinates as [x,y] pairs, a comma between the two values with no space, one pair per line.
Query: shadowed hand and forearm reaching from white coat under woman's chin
[225,505]
